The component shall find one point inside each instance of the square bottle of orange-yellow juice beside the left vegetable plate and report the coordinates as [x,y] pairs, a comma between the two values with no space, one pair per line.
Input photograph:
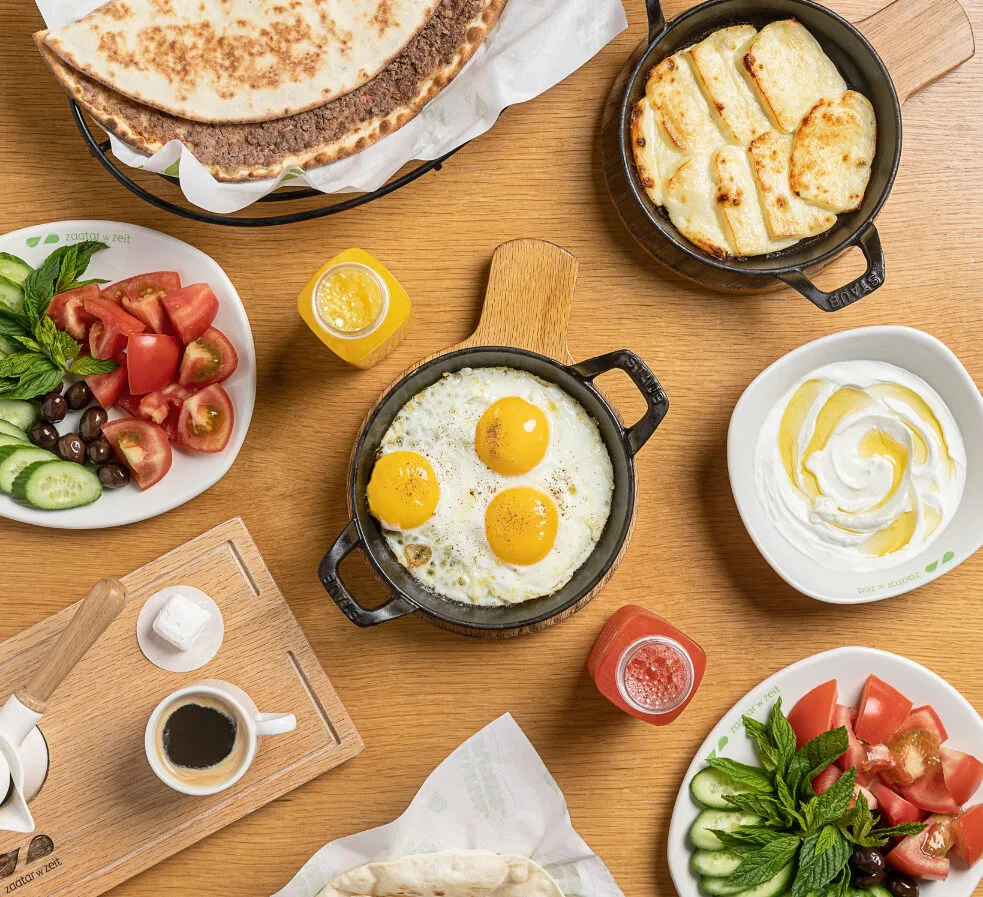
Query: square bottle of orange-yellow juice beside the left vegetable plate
[356,308]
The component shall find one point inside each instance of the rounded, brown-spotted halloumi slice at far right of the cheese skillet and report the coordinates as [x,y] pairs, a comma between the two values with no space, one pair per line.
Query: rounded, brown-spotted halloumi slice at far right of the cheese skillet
[832,152]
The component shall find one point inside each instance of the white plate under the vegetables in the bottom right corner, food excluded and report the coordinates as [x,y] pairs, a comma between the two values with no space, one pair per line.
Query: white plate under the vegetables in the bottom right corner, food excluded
[850,667]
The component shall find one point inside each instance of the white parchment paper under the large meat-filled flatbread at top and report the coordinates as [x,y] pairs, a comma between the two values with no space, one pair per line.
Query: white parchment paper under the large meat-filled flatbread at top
[534,45]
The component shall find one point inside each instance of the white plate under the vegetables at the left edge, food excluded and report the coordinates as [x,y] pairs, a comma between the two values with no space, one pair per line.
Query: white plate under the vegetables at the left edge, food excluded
[137,250]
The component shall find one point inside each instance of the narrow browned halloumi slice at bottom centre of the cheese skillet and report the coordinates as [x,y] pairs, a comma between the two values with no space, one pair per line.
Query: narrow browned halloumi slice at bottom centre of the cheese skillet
[737,199]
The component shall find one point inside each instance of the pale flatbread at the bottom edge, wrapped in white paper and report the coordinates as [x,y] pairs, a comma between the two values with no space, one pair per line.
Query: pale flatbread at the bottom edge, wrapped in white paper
[452,873]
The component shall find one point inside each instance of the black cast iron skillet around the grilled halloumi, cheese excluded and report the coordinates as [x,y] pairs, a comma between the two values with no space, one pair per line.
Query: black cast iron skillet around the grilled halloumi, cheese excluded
[863,71]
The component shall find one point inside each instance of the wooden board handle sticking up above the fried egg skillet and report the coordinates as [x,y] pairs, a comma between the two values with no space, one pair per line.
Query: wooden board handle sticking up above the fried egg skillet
[527,304]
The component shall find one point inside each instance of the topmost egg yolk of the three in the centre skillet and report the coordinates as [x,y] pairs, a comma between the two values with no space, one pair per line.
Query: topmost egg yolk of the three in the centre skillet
[512,436]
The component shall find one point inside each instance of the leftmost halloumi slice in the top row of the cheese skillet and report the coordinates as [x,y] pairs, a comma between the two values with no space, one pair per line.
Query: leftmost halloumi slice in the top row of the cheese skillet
[674,92]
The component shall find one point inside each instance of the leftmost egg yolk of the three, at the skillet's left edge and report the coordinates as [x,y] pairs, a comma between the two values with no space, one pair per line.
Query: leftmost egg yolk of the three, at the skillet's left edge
[403,490]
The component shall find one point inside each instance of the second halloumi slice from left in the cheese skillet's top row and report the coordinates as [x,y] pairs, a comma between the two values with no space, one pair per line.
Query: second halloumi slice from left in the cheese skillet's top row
[718,63]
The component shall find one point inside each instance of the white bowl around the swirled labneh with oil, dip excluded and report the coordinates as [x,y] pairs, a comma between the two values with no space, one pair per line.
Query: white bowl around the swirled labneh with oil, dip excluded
[906,348]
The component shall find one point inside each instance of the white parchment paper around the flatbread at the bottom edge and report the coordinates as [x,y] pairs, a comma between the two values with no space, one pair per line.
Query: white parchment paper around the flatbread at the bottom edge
[493,793]
